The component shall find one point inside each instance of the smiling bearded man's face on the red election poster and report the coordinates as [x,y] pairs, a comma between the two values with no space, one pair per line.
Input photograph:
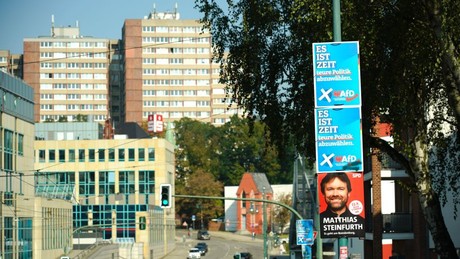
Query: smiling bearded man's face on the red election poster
[336,195]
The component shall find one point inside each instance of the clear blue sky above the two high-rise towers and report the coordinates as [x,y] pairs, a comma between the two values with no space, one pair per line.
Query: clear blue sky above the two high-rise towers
[21,19]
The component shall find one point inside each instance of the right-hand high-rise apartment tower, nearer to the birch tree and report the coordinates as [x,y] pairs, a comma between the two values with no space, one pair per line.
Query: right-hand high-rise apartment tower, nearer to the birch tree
[168,70]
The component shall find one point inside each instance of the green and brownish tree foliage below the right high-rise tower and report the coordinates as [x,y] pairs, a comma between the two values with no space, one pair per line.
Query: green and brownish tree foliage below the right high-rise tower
[209,157]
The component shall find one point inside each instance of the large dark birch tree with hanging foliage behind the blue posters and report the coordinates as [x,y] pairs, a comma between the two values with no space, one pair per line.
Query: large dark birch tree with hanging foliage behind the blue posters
[409,71]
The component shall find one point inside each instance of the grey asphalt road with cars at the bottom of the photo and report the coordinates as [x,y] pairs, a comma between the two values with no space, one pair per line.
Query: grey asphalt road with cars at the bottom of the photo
[222,245]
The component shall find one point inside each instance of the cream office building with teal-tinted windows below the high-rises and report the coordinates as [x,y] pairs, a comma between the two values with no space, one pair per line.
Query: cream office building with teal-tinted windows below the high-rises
[113,183]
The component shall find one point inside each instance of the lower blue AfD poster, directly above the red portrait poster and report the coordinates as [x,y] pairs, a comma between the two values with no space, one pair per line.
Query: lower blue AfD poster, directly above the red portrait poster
[338,140]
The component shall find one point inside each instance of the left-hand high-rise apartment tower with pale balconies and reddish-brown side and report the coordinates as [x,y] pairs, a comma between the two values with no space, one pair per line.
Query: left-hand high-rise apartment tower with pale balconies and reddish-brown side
[69,74]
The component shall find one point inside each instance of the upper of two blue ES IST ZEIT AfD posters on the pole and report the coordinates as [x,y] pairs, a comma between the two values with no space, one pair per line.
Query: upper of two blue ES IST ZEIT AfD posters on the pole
[336,74]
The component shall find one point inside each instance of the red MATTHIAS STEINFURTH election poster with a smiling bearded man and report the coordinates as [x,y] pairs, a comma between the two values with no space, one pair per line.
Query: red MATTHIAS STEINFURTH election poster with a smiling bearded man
[341,204]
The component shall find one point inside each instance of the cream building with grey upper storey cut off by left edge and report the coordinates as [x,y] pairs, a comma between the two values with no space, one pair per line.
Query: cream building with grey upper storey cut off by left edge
[30,226]
